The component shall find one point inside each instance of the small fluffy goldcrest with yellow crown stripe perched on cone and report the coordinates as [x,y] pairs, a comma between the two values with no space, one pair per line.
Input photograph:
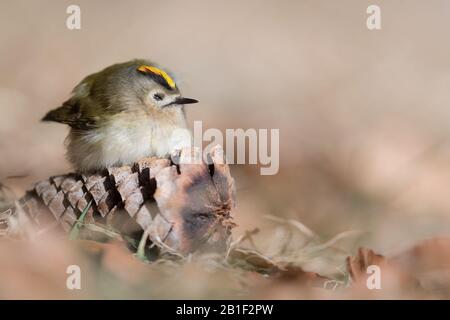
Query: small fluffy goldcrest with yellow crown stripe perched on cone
[121,114]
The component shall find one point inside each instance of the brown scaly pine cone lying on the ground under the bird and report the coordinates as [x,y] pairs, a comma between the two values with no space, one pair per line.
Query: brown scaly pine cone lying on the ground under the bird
[182,207]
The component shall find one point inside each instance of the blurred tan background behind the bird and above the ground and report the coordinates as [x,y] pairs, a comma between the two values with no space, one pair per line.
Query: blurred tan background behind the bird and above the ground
[364,116]
